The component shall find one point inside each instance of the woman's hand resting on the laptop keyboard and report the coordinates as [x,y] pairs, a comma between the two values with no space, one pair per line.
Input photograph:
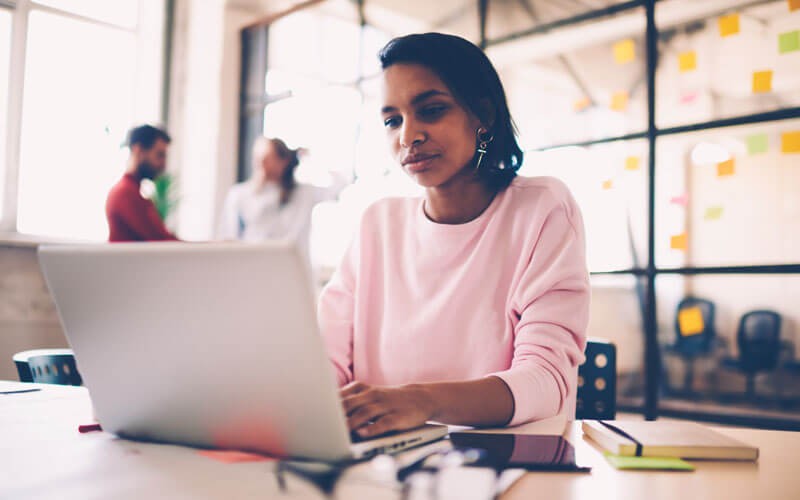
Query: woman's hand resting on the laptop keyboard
[373,410]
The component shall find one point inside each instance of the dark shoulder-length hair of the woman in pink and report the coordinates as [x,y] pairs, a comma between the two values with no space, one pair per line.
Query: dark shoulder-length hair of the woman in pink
[474,82]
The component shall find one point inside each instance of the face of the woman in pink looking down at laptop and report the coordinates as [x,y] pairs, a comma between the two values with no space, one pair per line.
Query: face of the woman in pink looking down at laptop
[431,135]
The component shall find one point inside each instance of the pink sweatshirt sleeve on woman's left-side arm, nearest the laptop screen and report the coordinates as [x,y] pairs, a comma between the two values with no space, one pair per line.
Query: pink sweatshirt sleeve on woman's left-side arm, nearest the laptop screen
[335,315]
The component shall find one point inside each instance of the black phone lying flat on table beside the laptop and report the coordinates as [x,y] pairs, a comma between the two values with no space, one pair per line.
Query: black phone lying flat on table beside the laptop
[525,451]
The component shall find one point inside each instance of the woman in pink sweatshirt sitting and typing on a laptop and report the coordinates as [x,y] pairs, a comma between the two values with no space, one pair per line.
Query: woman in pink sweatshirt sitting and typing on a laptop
[467,306]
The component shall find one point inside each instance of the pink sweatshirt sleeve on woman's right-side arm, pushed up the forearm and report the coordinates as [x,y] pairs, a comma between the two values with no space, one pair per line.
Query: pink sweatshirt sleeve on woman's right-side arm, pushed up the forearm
[551,301]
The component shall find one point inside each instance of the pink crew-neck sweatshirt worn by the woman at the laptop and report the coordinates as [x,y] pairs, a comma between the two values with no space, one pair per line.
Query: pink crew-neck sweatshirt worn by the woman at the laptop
[506,294]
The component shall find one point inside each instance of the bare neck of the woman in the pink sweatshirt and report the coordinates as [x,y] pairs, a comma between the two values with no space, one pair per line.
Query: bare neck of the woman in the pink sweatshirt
[458,201]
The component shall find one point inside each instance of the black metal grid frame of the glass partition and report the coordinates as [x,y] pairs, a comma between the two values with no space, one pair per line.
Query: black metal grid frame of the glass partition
[254,69]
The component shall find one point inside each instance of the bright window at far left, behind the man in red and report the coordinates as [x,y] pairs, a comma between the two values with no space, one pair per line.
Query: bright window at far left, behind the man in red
[91,70]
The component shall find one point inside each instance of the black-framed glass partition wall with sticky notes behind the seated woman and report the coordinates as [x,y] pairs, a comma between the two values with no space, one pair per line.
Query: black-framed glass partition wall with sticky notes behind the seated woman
[675,123]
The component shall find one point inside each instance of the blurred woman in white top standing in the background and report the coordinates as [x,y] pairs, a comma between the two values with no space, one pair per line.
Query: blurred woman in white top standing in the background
[272,204]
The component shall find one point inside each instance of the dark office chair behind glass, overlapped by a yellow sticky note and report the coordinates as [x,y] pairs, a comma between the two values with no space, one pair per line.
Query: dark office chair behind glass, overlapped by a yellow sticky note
[696,340]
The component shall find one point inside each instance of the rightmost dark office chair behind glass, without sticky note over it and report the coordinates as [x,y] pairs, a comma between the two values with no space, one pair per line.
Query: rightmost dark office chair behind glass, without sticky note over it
[760,346]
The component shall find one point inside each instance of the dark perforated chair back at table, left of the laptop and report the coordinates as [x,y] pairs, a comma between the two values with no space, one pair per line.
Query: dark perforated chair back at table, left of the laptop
[47,366]
